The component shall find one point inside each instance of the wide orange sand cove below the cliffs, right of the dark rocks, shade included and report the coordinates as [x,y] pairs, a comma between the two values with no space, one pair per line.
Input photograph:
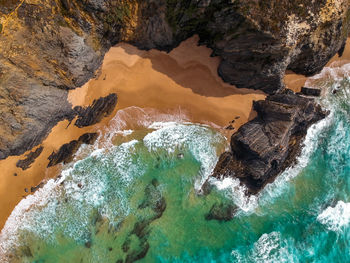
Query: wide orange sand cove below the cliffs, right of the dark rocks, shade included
[185,79]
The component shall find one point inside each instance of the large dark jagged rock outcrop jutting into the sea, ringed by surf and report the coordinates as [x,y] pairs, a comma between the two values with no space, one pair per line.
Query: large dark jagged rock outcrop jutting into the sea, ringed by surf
[265,146]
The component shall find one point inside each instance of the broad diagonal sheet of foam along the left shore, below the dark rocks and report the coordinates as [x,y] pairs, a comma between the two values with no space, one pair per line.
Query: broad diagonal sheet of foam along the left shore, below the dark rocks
[83,186]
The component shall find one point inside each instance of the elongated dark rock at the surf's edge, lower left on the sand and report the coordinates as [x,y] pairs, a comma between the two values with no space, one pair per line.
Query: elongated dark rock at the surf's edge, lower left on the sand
[66,153]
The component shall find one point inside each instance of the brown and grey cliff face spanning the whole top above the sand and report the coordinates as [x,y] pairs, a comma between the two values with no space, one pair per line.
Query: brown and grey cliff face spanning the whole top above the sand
[50,46]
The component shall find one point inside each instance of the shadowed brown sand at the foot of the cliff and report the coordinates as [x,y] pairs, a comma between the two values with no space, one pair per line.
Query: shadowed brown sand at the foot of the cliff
[194,70]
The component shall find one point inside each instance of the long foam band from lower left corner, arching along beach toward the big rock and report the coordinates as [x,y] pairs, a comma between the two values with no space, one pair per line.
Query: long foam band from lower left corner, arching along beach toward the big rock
[88,184]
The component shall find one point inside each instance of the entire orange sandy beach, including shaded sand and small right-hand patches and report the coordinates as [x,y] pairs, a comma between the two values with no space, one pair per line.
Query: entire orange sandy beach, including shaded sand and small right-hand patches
[184,80]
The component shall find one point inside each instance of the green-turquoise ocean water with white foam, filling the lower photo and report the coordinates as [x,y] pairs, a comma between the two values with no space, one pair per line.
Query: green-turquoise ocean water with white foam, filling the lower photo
[136,195]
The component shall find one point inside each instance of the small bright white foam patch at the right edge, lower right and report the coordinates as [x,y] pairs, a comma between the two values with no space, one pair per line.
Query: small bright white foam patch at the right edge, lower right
[336,218]
